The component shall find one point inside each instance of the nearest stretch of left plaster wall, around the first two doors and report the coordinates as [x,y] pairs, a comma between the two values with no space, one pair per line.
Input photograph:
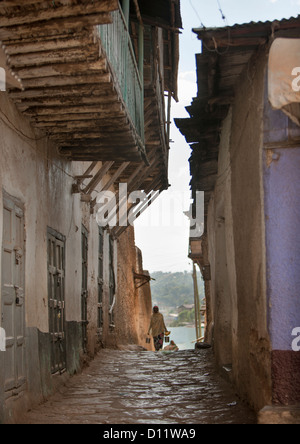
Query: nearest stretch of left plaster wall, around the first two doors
[32,172]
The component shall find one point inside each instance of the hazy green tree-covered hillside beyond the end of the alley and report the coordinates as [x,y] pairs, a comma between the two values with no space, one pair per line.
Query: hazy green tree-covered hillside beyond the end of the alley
[174,289]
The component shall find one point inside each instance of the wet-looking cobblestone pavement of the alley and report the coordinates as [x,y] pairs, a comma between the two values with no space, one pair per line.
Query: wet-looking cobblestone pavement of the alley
[125,387]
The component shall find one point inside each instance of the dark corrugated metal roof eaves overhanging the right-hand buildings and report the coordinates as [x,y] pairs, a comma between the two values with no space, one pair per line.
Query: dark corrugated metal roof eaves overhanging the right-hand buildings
[226,53]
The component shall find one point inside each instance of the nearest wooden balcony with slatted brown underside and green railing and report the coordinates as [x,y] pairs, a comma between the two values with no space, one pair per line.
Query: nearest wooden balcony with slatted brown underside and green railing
[81,83]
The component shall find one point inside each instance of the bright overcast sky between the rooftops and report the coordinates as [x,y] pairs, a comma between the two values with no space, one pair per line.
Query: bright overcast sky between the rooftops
[162,232]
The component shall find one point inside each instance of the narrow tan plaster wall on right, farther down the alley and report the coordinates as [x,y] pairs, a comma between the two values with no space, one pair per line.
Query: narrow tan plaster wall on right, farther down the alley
[220,241]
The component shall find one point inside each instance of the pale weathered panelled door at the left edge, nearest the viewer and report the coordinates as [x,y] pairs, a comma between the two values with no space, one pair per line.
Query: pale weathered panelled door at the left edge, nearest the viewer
[12,297]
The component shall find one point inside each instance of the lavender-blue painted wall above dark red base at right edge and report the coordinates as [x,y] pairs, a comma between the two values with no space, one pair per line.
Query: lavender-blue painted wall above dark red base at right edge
[282,216]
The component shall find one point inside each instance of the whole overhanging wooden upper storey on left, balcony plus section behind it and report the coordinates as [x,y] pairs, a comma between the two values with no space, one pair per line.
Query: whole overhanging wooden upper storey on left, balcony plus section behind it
[94,89]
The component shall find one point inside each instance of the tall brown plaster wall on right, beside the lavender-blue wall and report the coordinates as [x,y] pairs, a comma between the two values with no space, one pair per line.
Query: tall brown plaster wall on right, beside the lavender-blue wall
[253,347]
